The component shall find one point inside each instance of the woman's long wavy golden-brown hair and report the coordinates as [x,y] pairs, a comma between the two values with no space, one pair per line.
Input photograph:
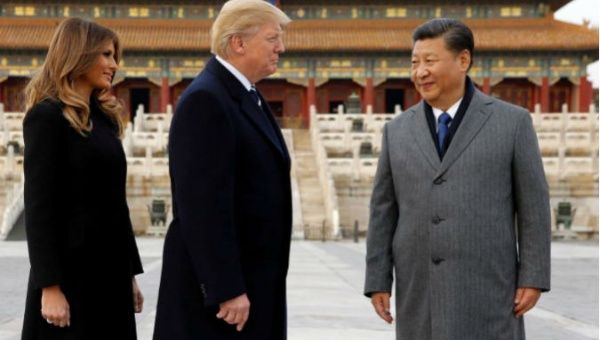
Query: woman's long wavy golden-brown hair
[73,50]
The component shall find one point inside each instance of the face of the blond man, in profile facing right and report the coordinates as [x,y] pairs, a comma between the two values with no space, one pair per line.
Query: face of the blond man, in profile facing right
[261,52]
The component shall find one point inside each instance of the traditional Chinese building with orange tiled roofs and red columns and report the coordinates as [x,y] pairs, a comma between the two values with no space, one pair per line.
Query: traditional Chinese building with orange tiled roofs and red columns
[333,49]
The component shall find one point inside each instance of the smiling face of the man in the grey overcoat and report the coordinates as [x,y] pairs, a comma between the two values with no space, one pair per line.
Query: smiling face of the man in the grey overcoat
[438,73]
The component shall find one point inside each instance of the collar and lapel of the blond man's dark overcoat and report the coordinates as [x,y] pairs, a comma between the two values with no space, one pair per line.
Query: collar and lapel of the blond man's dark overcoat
[250,110]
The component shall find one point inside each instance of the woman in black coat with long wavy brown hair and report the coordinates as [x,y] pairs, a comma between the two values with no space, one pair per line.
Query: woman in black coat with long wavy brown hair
[82,250]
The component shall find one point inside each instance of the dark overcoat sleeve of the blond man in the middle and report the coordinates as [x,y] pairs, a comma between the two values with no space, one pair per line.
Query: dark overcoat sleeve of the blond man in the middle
[202,159]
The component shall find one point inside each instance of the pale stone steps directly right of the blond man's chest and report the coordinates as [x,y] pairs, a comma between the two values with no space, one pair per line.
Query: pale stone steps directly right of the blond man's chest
[311,194]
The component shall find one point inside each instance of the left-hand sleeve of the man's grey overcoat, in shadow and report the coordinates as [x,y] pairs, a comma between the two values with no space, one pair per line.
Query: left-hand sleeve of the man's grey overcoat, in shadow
[382,224]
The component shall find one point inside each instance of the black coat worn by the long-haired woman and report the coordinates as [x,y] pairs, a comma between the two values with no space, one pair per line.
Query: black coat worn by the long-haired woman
[79,234]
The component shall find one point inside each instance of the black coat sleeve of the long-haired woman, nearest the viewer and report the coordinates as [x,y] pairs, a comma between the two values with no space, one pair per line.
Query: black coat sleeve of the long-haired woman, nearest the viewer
[43,129]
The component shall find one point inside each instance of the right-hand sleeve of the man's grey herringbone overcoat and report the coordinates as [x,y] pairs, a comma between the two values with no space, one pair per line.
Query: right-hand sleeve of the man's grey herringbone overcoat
[532,208]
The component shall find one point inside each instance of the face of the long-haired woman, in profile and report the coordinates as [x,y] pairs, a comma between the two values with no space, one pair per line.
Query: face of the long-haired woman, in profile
[100,75]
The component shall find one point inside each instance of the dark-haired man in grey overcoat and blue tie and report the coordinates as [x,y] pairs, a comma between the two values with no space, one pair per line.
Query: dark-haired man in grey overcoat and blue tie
[460,210]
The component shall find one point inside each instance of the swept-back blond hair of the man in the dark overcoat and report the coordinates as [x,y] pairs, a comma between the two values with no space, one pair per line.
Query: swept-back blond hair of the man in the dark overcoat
[242,17]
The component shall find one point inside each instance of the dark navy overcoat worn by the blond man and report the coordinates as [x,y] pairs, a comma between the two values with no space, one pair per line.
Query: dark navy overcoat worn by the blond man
[230,178]
